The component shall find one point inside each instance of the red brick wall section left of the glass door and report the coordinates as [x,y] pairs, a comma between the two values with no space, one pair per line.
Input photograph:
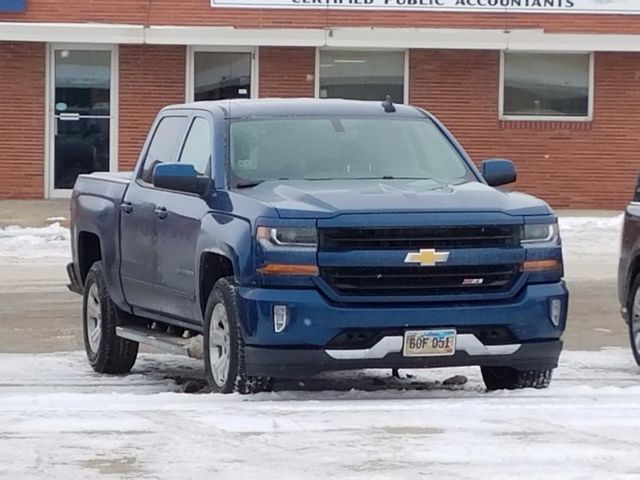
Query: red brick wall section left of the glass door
[22,117]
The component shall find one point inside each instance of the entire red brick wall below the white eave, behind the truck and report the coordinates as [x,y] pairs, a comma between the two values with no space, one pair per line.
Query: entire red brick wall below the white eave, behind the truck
[569,164]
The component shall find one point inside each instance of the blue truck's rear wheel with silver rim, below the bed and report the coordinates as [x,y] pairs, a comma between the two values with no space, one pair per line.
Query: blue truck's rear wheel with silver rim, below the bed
[106,352]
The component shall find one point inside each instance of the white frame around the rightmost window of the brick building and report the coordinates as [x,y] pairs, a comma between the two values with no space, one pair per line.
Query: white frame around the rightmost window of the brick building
[547,118]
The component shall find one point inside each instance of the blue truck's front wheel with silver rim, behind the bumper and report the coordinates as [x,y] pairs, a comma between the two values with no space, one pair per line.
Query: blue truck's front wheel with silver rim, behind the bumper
[224,353]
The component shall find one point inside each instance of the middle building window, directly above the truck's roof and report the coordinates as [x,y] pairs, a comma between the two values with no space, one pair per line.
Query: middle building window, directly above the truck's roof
[361,75]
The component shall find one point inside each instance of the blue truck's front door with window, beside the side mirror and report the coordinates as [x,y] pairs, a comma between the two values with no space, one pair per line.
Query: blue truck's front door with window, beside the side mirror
[178,233]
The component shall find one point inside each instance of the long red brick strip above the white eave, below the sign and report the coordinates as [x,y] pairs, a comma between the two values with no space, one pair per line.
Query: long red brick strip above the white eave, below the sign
[199,12]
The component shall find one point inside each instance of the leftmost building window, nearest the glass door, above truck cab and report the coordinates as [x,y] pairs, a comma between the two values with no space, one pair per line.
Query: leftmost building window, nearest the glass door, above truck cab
[221,75]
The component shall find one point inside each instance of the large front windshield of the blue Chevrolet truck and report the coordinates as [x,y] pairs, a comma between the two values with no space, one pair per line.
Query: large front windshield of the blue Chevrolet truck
[319,148]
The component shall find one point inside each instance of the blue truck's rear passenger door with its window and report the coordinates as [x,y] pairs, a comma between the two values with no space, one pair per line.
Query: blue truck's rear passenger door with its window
[139,215]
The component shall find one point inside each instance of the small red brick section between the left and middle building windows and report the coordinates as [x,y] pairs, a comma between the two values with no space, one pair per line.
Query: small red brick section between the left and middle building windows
[286,72]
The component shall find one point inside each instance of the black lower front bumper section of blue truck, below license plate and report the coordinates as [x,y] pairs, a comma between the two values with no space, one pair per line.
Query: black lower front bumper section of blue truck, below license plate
[301,363]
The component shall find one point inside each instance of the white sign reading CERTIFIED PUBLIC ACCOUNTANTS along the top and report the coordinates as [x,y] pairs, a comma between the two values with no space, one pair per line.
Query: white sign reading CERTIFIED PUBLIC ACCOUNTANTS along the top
[629,7]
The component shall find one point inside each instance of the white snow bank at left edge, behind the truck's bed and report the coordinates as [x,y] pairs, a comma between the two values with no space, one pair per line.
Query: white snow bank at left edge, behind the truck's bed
[49,244]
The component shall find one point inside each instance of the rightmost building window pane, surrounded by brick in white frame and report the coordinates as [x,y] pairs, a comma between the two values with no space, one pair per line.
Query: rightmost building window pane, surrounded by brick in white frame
[546,85]
